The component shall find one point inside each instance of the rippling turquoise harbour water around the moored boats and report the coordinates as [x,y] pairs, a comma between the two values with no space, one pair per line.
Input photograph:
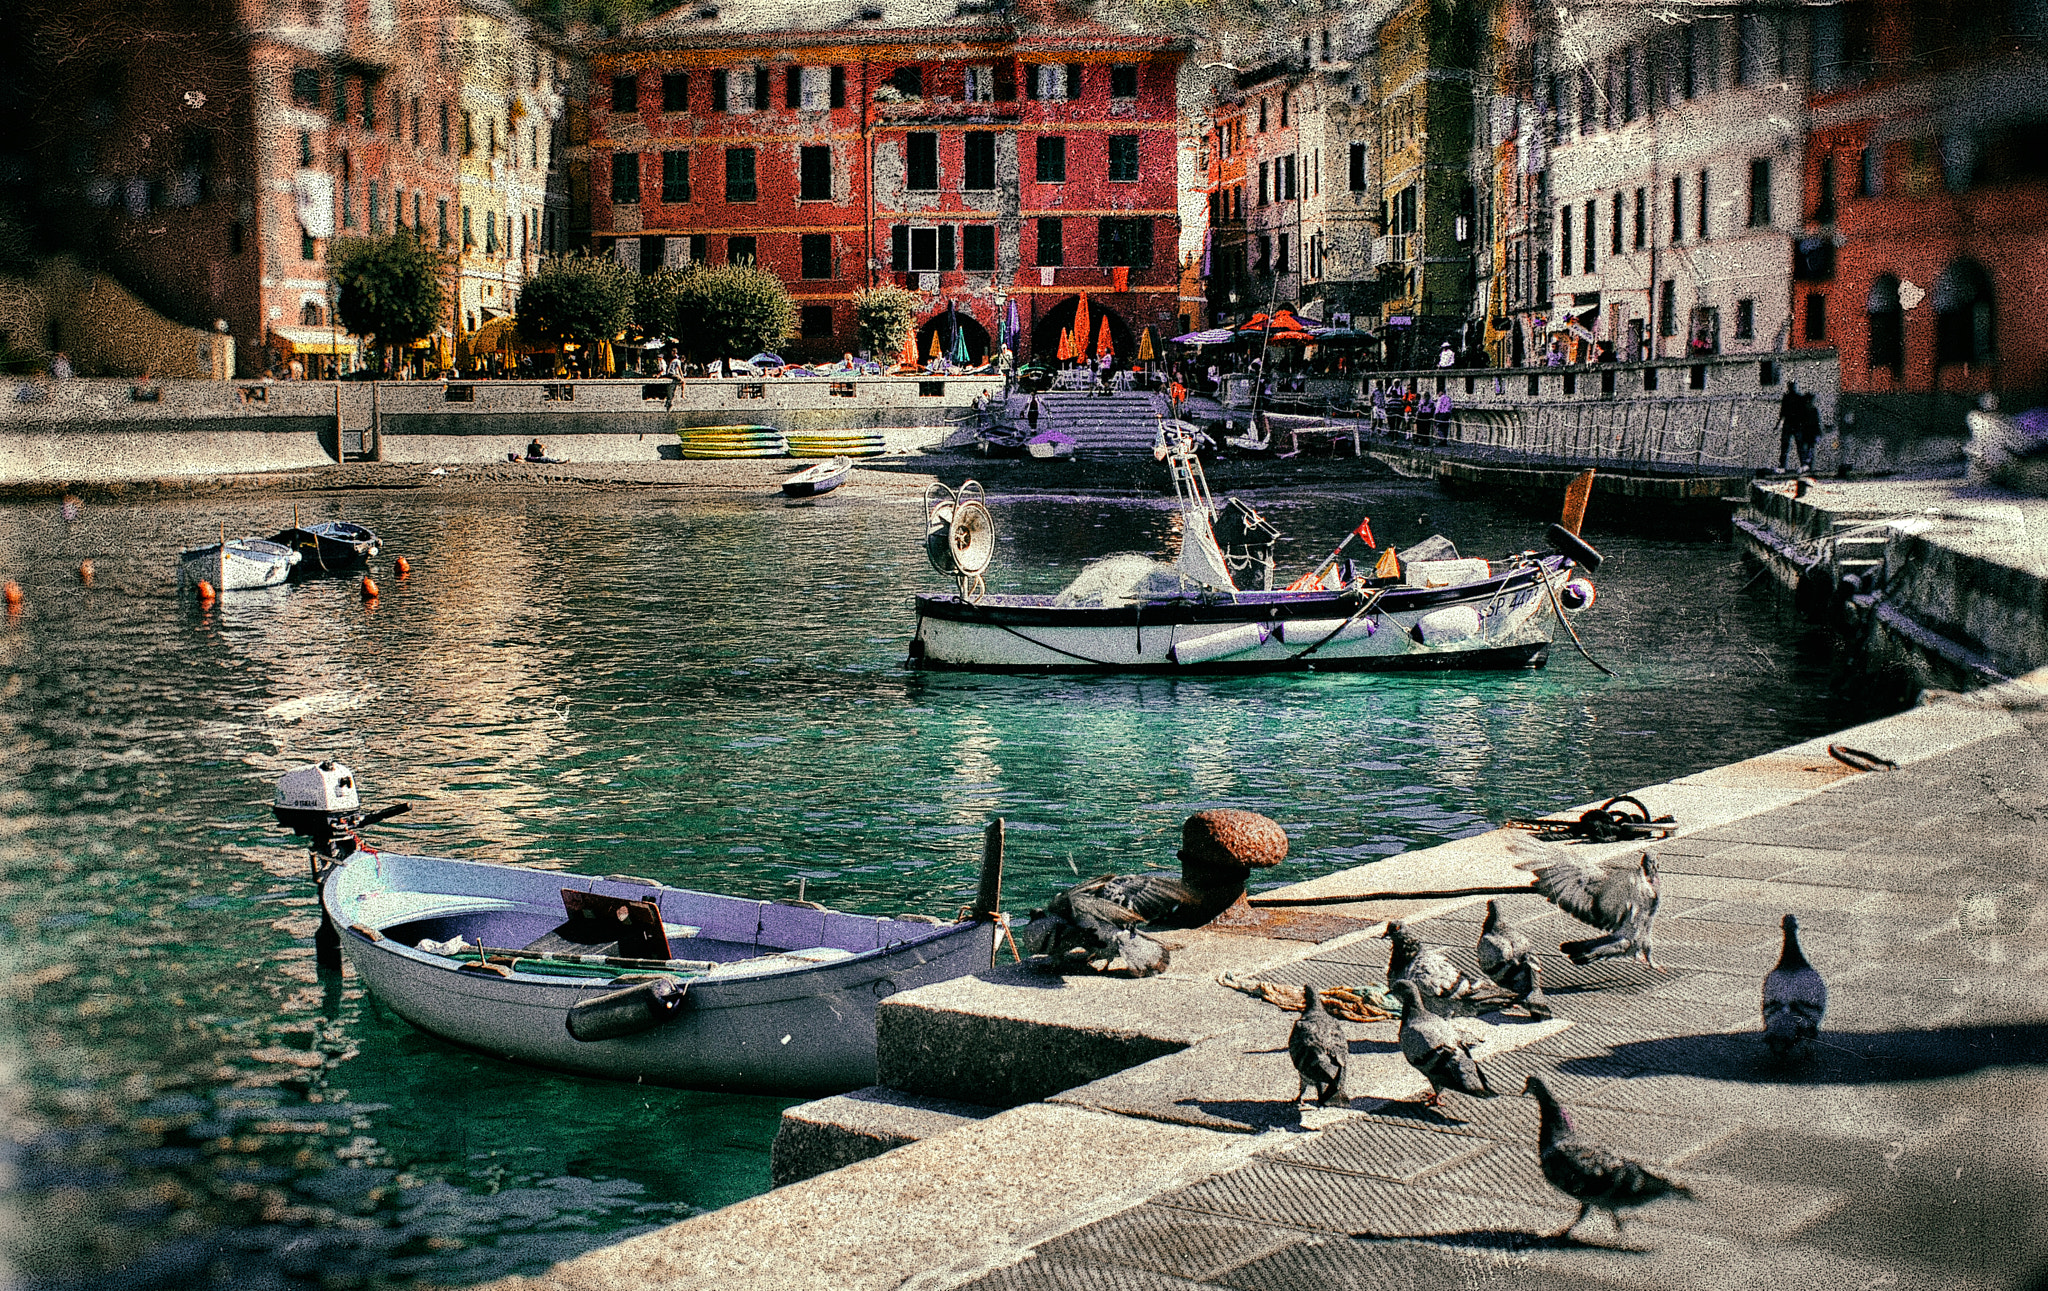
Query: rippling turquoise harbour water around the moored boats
[708,694]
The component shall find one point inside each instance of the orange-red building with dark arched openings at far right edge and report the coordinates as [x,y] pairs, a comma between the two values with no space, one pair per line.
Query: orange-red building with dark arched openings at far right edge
[1926,251]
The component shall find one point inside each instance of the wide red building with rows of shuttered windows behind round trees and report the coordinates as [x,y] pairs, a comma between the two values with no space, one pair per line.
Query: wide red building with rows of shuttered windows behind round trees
[984,163]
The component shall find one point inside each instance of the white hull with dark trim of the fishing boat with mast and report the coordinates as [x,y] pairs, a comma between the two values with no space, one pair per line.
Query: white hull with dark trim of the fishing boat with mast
[1498,624]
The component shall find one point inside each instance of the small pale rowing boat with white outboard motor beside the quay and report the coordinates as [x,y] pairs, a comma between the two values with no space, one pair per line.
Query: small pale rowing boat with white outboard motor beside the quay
[617,976]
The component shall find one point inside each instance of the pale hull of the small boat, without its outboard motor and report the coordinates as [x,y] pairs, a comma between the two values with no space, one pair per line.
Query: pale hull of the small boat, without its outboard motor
[794,1032]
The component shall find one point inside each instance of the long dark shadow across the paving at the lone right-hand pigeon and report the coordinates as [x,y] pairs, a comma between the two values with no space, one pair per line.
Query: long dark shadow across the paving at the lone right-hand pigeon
[1838,1058]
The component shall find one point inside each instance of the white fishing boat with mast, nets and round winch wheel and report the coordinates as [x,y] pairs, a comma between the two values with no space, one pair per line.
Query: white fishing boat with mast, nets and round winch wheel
[1428,608]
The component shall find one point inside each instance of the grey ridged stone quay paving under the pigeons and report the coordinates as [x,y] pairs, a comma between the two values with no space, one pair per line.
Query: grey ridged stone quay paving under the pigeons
[1910,1153]
